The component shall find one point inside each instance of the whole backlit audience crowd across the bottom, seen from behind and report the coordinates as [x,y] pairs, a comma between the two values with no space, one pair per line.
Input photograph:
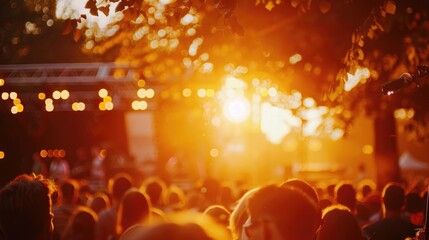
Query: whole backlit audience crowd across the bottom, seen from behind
[34,206]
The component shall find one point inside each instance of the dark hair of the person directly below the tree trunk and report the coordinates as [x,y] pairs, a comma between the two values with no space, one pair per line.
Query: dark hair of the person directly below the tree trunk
[393,196]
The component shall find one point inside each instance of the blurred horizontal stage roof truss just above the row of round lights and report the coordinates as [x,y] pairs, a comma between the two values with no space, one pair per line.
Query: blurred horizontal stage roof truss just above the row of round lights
[81,80]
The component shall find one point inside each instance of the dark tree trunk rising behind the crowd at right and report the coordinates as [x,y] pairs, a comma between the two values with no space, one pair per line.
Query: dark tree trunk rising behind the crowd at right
[386,150]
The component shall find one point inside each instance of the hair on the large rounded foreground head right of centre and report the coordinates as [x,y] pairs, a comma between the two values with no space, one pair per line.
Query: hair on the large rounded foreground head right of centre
[294,214]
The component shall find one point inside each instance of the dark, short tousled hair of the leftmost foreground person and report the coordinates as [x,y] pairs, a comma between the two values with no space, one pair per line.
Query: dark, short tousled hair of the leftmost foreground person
[26,208]
